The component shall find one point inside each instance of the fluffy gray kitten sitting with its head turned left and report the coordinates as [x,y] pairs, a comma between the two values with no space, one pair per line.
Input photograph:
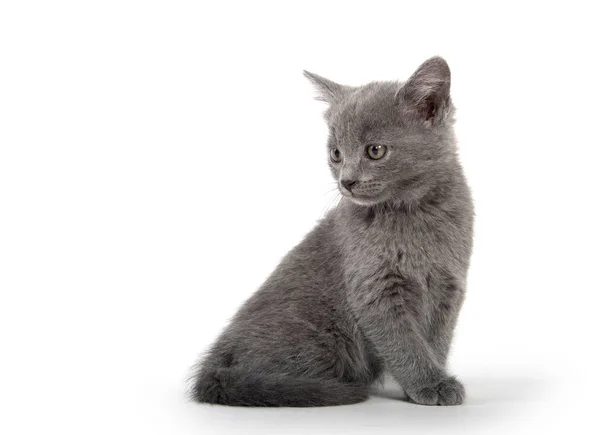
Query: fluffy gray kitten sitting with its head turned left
[378,283]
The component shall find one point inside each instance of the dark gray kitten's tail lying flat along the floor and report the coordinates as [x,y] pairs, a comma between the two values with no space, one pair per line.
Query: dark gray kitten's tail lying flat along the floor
[231,386]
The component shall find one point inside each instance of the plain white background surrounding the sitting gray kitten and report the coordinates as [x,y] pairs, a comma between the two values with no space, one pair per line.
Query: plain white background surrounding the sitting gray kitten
[159,158]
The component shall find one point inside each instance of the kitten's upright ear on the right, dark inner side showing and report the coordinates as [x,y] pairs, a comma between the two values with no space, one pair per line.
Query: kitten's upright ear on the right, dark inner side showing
[427,91]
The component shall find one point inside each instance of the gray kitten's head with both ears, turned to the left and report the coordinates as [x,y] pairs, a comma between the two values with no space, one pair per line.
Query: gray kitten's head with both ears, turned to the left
[390,141]
